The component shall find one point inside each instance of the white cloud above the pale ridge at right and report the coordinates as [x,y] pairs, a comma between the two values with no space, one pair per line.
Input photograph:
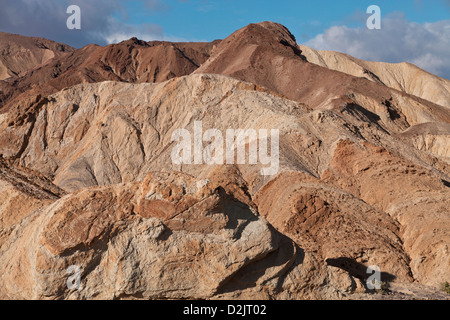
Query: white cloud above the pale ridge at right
[425,45]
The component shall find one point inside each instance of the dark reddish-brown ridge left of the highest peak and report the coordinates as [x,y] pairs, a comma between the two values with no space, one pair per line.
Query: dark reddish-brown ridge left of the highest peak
[129,61]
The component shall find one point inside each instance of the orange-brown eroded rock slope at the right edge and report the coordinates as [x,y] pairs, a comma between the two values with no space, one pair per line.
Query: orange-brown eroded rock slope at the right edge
[416,198]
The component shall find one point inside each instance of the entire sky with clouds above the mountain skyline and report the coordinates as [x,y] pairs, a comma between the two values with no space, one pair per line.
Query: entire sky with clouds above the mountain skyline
[416,31]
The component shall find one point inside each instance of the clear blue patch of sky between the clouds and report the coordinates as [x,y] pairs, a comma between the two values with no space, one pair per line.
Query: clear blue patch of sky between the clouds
[213,19]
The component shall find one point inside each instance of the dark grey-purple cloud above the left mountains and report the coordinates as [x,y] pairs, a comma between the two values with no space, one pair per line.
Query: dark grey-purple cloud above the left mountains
[47,19]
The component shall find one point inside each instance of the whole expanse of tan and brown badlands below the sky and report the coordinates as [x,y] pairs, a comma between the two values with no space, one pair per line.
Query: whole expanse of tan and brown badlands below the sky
[87,178]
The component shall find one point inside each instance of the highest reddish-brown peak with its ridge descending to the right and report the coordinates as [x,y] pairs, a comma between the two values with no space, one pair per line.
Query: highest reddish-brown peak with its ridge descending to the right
[267,54]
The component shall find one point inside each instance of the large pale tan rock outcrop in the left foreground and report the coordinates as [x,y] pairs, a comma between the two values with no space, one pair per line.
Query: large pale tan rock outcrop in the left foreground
[212,244]
